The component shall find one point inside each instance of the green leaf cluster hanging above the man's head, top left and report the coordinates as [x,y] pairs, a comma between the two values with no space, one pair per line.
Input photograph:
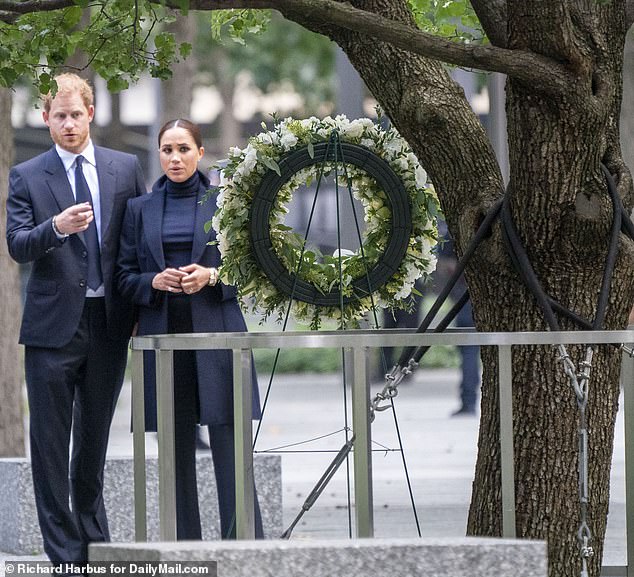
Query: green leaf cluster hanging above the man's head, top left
[117,38]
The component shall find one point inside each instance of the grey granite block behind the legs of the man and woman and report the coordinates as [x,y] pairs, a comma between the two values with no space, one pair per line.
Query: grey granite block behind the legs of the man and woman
[19,529]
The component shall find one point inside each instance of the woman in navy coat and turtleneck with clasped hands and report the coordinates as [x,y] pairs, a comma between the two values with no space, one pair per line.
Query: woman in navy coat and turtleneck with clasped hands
[168,269]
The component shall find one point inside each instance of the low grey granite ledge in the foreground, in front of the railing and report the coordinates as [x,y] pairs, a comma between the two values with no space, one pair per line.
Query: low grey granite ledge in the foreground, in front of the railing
[459,557]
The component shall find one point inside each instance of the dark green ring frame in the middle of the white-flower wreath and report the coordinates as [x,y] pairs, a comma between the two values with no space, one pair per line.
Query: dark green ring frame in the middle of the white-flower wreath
[263,202]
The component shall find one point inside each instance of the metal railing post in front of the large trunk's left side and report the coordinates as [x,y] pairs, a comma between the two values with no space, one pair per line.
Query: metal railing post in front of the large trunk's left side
[507,457]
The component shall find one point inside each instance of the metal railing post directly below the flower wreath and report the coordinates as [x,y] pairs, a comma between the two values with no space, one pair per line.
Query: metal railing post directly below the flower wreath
[362,444]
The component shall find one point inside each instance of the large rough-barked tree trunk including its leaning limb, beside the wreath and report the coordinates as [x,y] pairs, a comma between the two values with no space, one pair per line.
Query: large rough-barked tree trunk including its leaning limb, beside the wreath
[559,202]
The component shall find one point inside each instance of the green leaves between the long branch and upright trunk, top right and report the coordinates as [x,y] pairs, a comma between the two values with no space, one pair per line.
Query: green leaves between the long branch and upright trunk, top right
[453,19]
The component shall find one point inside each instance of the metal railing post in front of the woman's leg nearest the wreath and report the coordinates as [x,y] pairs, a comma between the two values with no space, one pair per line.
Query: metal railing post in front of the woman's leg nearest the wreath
[243,428]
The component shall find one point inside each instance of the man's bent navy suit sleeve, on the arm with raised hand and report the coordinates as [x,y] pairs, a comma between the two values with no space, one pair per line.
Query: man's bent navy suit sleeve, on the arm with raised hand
[26,239]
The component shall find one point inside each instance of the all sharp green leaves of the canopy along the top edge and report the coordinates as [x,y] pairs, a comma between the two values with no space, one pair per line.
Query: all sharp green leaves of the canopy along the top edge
[121,39]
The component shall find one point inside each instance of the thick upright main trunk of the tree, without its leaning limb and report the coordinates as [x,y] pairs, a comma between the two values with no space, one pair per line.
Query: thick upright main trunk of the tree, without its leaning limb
[561,208]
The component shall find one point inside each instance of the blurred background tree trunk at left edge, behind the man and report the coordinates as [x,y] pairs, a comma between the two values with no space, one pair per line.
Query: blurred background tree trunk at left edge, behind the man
[11,401]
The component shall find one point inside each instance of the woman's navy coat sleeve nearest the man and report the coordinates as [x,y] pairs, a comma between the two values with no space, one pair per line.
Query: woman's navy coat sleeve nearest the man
[133,283]
